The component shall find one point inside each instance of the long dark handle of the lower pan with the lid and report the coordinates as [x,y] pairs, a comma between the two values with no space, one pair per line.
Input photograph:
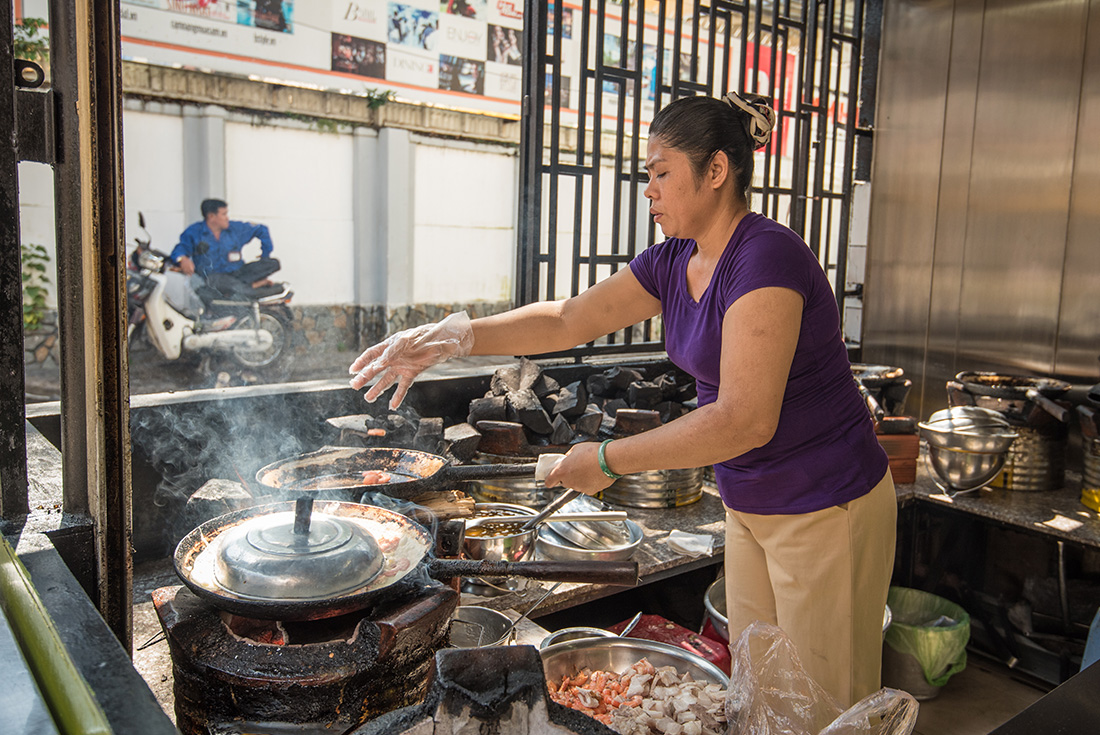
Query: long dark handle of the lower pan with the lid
[622,574]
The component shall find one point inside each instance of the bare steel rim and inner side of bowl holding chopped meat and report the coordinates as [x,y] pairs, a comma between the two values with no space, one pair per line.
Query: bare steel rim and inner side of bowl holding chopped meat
[619,655]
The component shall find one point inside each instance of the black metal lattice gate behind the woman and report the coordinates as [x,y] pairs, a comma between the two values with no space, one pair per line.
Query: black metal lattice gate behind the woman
[595,75]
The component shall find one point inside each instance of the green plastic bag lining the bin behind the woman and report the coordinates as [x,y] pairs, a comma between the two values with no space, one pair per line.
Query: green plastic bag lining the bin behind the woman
[931,630]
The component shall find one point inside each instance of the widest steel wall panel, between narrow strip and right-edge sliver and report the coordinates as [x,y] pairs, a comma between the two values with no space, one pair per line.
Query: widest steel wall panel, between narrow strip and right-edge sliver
[1020,179]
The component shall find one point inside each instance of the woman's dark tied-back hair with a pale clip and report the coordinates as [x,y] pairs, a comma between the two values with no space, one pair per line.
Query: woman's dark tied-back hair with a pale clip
[700,127]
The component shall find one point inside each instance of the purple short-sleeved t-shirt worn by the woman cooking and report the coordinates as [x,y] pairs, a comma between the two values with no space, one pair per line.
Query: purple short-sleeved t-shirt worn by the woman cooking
[824,452]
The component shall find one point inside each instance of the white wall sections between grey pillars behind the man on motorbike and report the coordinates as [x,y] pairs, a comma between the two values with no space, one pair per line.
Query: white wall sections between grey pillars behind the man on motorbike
[300,182]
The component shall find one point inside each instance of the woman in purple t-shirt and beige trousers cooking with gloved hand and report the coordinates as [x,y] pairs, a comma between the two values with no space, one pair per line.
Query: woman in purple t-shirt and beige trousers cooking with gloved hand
[749,312]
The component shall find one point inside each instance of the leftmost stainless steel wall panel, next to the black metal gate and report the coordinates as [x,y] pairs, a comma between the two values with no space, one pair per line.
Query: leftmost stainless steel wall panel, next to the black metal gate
[906,173]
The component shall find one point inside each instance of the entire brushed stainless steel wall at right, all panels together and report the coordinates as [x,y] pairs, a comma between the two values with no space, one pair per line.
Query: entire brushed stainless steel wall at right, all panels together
[1007,120]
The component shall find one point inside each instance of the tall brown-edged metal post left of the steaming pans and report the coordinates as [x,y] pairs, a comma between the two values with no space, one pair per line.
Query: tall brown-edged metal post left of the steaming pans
[84,47]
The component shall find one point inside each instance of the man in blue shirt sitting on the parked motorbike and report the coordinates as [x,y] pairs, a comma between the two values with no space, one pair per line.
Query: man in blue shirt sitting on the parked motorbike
[213,250]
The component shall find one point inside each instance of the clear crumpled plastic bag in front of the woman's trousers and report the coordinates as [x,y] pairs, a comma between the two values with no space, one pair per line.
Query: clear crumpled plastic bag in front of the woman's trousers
[771,694]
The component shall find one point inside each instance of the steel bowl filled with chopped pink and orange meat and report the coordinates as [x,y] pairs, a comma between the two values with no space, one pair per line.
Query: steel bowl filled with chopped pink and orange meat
[634,686]
